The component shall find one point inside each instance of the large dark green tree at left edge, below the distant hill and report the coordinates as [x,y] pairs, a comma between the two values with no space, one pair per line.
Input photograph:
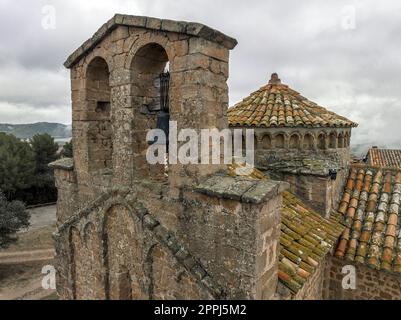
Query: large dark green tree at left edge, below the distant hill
[17,165]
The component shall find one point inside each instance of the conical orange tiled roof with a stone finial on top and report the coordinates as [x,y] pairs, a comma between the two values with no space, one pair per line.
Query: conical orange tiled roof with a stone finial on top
[277,105]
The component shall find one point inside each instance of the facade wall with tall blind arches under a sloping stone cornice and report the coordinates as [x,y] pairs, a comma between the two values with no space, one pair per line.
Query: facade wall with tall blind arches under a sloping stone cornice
[110,250]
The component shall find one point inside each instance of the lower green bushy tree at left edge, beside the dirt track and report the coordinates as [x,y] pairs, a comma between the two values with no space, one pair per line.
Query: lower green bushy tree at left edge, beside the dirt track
[13,217]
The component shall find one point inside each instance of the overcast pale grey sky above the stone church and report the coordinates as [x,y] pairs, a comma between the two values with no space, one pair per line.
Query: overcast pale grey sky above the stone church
[344,55]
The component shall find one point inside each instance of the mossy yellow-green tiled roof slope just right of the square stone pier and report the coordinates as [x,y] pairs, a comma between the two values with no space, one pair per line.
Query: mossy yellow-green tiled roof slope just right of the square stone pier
[305,237]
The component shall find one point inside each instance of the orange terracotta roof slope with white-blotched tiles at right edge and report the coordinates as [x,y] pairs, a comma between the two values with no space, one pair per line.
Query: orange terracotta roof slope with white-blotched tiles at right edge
[373,234]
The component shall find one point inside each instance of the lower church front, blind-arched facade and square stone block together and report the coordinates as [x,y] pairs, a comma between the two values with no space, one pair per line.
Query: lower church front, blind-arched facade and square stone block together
[114,250]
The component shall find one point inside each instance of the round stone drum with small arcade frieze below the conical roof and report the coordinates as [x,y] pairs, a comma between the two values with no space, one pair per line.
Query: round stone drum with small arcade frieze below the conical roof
[303,157]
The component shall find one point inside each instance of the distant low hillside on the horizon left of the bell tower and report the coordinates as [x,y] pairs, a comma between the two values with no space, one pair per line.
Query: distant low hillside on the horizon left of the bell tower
[26,131]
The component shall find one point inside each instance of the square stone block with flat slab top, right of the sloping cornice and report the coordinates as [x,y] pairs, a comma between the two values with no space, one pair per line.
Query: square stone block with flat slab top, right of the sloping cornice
[237,241]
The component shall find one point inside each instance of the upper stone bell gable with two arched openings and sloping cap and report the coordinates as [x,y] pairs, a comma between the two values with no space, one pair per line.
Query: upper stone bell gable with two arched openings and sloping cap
[115,96]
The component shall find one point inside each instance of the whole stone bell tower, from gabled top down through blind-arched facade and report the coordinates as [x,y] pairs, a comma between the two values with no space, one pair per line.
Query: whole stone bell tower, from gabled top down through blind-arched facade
[128,229]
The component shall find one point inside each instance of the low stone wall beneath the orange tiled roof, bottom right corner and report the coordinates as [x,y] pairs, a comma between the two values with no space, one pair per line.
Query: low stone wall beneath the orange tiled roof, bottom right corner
[370,284]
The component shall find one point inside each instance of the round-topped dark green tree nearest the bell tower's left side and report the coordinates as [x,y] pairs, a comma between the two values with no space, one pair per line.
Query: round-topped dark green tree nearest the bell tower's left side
[45,150]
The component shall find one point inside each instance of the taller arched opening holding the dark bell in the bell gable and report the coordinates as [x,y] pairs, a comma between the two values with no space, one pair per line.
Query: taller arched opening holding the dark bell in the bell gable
[150,90]
